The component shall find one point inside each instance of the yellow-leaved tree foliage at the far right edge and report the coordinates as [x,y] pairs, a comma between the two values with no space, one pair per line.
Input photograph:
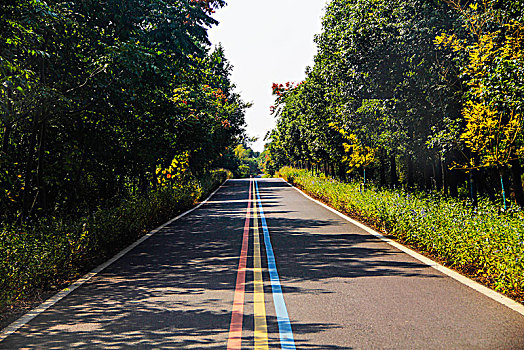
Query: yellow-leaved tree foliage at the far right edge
[494,75]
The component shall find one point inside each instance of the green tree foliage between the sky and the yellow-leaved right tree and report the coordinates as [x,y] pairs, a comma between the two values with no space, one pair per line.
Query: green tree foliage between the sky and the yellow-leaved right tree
[378,77]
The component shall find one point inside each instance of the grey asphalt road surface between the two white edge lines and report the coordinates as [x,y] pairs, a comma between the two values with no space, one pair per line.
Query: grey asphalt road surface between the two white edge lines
[343,288]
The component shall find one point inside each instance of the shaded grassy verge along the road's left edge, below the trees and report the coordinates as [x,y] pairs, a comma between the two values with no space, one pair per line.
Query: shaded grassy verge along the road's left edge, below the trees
[55,250]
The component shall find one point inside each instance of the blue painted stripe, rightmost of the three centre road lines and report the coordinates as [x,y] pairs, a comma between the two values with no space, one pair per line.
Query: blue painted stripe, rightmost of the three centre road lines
[284,325]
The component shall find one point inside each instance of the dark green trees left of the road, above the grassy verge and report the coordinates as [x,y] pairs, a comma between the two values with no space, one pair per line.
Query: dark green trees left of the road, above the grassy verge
[102,99]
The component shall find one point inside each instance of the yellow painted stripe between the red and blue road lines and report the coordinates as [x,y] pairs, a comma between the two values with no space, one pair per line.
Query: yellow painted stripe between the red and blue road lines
[261,338]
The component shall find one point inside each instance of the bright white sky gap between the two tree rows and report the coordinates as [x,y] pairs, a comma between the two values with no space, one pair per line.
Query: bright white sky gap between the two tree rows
[267,41]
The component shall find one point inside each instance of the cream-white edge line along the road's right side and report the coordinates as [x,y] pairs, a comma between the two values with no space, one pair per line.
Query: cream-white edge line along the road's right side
[490,293]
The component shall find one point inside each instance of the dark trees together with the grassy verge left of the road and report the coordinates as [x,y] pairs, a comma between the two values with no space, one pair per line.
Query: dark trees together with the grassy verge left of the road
[115,117]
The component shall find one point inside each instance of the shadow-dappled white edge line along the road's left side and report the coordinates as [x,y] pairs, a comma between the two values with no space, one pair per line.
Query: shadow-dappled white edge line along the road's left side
[23,320]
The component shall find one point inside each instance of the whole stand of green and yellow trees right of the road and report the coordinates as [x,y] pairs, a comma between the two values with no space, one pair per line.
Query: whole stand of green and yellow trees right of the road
[423,94]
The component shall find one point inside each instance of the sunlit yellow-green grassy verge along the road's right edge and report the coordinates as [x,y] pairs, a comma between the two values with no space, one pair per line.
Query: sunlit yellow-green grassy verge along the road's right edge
[479,241]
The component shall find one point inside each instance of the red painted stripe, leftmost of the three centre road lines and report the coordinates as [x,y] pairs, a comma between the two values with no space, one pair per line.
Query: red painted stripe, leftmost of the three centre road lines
[234,341]
